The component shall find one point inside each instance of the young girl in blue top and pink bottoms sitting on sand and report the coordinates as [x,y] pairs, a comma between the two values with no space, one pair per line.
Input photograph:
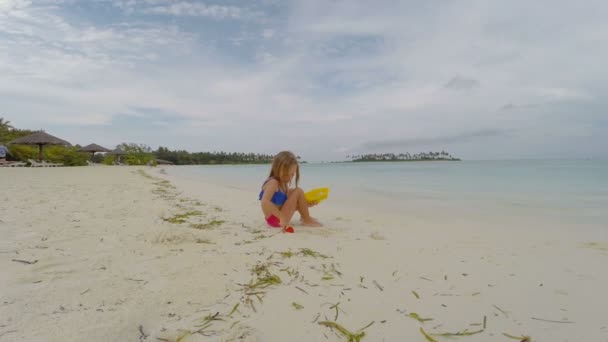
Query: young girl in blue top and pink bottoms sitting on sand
[279,201]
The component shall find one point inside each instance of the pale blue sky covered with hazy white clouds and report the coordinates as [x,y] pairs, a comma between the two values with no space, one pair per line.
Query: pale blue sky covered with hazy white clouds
[325,79]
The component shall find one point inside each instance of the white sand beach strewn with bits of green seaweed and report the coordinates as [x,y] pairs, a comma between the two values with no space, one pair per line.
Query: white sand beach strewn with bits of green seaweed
[106,264]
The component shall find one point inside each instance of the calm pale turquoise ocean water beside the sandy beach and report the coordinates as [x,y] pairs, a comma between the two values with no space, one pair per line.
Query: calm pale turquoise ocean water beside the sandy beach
[572,193]
